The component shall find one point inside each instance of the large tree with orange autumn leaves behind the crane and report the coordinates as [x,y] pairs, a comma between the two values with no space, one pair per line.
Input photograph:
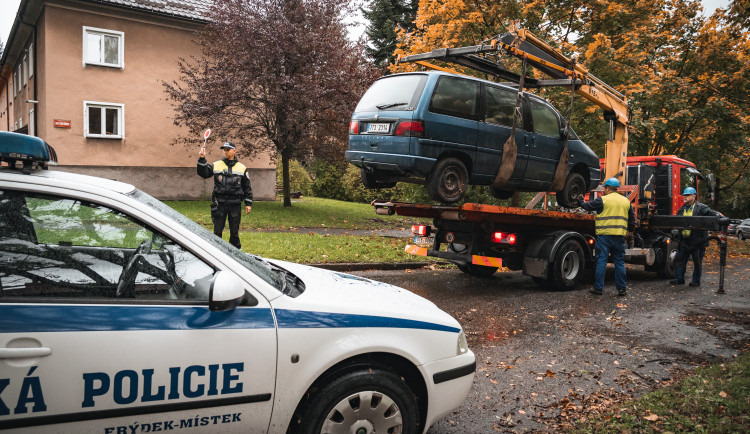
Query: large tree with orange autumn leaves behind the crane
[686,76]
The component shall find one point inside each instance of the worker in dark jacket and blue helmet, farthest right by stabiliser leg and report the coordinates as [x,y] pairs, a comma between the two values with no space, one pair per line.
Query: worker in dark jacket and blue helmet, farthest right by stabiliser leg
[691,242]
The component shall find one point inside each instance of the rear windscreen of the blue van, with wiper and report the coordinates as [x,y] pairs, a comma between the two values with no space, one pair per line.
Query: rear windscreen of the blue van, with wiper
[398,92]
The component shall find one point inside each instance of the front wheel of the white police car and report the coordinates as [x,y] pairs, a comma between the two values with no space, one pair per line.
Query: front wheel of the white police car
[361,402]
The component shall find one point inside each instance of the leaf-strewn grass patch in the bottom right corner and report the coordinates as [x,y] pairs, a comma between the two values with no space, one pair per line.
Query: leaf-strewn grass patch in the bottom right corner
[714,400]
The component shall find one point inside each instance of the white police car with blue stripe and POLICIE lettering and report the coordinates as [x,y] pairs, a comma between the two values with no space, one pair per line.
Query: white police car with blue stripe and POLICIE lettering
[120,315]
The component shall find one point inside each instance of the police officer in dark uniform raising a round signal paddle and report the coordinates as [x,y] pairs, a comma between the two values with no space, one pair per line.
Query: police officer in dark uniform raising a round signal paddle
[231,187]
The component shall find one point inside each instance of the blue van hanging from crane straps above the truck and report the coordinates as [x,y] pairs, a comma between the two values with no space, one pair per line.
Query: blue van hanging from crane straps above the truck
[447,131]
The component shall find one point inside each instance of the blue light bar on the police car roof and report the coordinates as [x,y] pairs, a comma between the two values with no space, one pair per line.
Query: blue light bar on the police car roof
[30,151]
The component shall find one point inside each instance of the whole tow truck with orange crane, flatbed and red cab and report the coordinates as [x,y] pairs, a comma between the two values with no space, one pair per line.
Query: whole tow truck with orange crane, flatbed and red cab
[555,246]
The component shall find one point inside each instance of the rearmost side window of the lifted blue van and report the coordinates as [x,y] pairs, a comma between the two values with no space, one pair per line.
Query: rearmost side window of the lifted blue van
[455,97]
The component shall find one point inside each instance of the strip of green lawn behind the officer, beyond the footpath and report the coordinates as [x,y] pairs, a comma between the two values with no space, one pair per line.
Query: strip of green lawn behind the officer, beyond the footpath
[306,212]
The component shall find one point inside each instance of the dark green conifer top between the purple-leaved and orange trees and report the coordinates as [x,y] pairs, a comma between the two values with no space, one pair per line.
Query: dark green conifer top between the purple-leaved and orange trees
[385,16]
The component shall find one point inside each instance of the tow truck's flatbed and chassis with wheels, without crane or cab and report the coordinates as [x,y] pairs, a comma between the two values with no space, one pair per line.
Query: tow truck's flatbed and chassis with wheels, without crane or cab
[554,247]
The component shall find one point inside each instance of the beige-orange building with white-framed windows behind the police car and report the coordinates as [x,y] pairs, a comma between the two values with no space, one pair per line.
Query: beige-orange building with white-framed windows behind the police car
[87,77]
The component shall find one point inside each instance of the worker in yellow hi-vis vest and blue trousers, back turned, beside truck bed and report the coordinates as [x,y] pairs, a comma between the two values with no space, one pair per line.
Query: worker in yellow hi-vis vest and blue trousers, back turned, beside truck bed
[615,220]
